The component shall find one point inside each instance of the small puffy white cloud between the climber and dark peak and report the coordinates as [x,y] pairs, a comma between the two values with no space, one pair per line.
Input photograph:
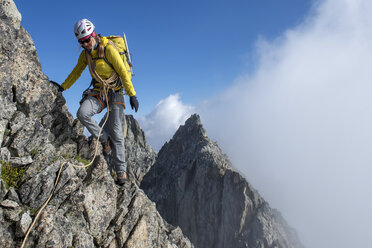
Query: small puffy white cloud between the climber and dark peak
[164,120]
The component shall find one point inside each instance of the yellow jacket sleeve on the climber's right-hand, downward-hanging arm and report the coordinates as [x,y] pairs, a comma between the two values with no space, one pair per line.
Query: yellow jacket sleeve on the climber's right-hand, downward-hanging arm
[114,58]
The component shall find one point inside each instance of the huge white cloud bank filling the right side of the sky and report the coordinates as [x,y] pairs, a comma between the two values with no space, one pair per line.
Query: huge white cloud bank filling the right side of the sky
[300,126]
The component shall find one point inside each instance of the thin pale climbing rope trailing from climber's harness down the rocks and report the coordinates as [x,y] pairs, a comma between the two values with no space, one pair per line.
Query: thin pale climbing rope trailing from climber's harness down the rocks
[106,85]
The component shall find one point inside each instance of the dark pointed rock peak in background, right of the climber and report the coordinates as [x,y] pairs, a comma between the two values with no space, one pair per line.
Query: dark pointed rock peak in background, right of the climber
[194,187]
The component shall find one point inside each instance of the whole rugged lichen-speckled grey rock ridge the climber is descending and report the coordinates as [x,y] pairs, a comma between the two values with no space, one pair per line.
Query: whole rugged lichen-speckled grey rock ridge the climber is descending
[37,135]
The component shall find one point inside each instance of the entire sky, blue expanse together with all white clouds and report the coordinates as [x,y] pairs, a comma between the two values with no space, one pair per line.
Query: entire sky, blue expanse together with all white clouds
[284,87]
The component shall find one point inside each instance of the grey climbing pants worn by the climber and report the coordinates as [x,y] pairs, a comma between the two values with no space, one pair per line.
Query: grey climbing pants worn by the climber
[113,128]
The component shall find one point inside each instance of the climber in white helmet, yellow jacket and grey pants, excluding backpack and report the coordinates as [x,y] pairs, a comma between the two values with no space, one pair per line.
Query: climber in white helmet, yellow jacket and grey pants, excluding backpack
[105,64]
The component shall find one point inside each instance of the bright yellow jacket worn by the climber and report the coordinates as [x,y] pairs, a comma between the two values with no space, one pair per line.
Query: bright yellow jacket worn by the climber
[102,68]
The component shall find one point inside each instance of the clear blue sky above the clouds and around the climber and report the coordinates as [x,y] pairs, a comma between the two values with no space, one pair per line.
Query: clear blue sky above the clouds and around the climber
[194,48]
